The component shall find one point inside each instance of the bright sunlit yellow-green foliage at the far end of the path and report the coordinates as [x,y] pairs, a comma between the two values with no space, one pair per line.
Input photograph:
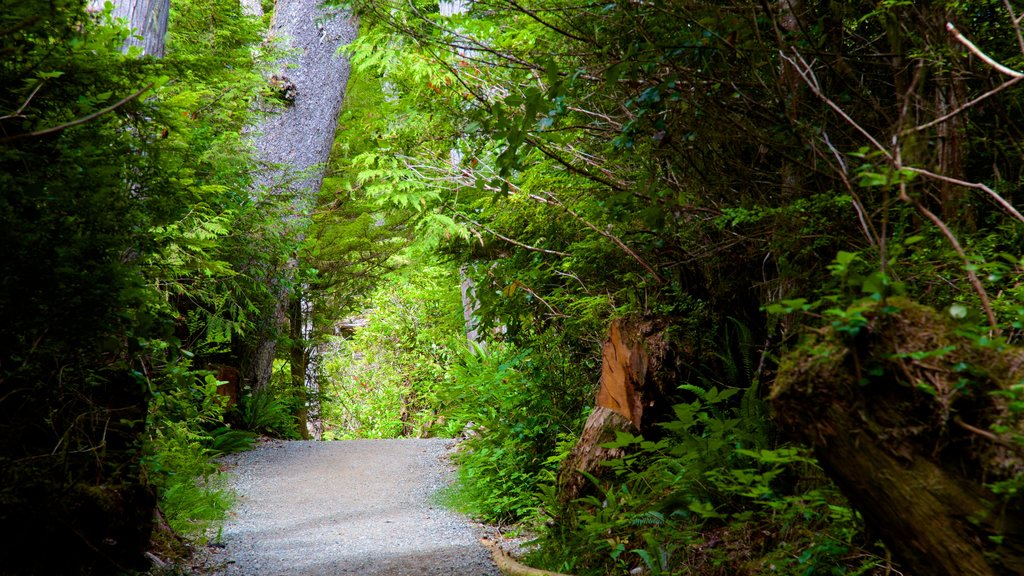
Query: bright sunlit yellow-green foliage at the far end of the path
[385,382]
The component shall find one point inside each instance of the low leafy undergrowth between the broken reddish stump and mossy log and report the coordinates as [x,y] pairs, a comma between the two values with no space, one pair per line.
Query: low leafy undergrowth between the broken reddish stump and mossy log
[707,499]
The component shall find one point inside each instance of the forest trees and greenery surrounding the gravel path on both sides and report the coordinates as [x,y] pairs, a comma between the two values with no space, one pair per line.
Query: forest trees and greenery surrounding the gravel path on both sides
[797,217]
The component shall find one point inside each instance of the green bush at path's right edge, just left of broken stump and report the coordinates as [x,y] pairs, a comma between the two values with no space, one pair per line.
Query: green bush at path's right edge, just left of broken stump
[520,424]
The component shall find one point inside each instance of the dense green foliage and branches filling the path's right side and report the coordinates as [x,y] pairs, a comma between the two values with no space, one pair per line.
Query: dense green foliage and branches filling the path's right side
[740,172]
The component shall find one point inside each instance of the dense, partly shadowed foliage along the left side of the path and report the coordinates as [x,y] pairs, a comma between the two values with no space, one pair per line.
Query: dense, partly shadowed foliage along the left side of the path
[137,259]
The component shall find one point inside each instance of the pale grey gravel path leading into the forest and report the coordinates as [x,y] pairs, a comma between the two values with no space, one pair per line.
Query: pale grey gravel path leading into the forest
[362,507]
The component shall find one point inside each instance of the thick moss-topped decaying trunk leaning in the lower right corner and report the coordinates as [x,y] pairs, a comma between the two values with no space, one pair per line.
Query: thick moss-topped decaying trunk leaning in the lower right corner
[900,417]
